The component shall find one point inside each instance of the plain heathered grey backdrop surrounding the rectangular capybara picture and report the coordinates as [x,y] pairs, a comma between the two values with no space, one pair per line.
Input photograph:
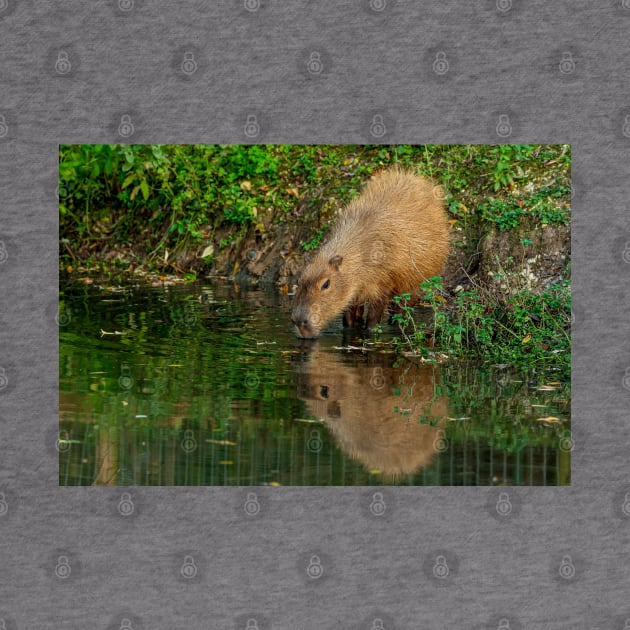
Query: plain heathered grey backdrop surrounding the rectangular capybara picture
[125,58]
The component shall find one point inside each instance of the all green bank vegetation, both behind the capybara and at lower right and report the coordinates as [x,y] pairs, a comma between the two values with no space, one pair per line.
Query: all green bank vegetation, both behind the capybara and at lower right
[187,208]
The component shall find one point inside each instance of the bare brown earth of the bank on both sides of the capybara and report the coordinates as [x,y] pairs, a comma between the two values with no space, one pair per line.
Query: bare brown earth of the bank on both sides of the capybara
[532,255]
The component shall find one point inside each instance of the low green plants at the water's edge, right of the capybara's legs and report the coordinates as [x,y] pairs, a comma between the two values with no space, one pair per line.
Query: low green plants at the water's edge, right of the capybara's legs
[519,329]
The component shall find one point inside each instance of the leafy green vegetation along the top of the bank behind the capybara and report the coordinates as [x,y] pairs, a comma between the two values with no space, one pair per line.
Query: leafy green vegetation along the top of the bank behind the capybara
[135,203]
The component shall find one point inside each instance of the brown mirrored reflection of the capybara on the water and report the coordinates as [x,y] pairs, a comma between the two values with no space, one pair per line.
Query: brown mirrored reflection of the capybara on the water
[383,416]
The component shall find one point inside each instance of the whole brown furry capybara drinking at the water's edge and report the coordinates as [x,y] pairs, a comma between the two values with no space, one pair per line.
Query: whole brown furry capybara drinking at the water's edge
[385,243]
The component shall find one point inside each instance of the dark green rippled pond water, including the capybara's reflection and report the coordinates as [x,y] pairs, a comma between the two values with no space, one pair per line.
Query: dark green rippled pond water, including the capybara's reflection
[206,384]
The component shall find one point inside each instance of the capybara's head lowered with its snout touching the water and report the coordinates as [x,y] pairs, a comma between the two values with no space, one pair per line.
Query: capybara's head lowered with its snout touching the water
[324,290]
